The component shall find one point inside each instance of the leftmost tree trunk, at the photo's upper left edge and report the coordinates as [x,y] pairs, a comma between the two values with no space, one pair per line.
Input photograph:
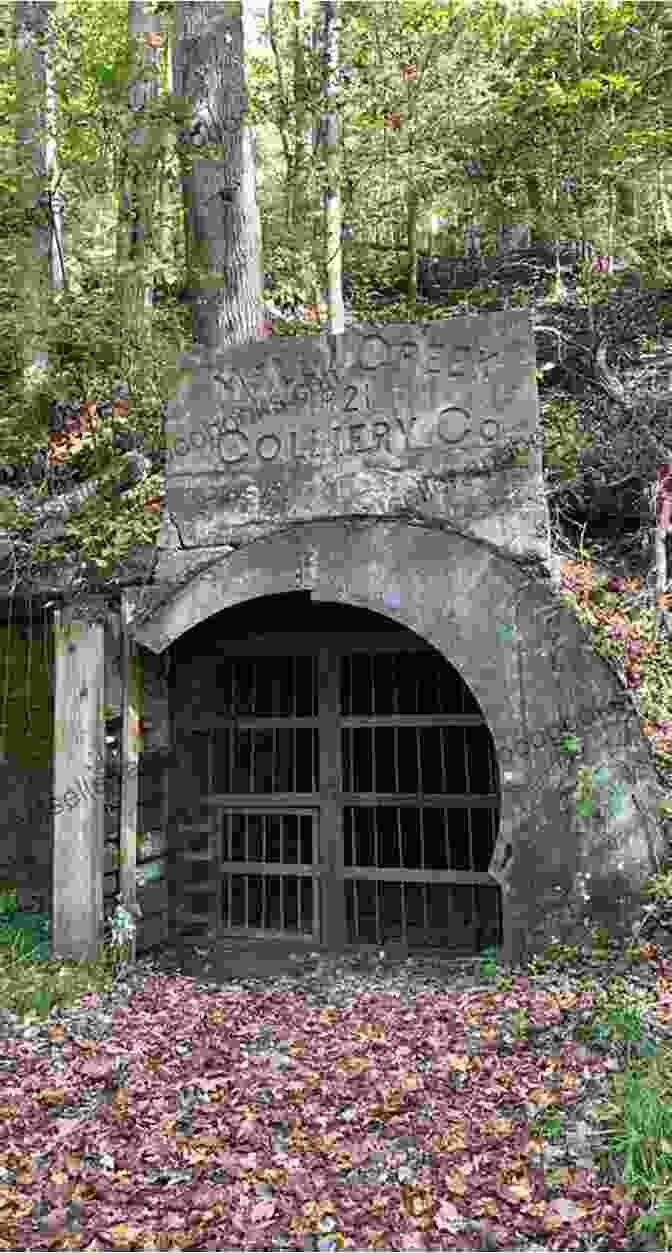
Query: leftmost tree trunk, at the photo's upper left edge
[39,251]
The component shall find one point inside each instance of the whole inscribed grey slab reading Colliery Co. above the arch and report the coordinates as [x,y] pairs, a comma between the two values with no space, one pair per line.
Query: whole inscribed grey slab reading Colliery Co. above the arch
[433,422]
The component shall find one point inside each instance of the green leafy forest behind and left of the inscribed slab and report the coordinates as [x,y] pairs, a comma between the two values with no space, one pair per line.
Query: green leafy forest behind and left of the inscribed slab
[399,131]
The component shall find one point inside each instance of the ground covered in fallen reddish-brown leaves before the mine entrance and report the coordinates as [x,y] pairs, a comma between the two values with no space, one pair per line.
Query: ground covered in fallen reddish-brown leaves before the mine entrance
[403,1107]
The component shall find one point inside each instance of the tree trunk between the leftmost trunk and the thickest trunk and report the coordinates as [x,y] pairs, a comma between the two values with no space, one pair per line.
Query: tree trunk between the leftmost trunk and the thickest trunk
[139,181]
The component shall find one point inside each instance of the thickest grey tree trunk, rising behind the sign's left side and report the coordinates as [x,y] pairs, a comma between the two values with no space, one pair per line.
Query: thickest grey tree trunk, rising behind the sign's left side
[218,159]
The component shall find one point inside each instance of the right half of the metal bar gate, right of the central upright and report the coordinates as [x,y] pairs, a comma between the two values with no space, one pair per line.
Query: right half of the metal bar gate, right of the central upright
[412,863]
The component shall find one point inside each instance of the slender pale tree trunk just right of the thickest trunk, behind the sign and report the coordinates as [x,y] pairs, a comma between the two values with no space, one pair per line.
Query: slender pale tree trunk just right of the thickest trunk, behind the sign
[329,137]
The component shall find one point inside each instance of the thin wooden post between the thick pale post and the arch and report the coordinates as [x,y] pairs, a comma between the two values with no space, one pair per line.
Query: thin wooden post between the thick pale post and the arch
[132,746]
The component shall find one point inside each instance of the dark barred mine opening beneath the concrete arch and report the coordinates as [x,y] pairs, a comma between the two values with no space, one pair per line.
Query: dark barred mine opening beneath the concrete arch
[337,786]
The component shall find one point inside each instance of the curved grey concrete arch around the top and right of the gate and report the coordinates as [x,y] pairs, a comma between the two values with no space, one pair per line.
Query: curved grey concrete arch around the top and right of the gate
[535,675]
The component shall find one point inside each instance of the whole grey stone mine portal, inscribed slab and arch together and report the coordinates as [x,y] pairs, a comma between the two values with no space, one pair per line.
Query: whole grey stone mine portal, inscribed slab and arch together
[398,468]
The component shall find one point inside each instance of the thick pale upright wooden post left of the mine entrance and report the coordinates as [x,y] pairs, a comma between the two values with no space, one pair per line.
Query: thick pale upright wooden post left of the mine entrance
[78,805]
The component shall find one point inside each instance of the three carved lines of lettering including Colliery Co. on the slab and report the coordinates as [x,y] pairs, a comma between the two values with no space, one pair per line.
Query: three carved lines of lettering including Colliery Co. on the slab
[278,407]
